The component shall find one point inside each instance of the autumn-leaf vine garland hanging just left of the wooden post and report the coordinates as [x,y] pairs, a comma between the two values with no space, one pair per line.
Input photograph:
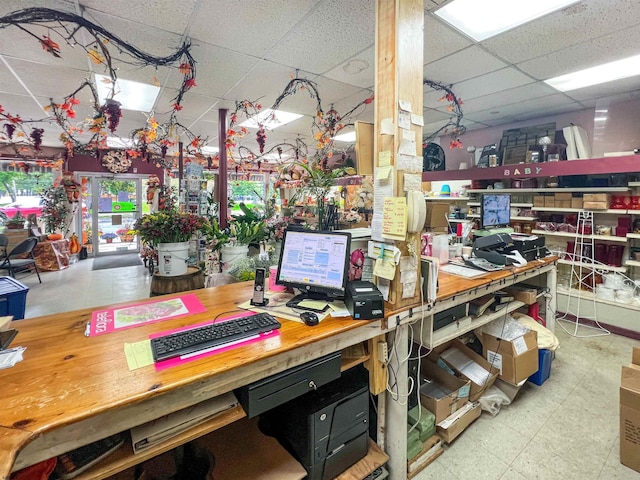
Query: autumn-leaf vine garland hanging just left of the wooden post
[324,127]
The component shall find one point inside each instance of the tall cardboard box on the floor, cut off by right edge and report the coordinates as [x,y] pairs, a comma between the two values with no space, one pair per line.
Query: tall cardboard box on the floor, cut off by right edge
[630,413]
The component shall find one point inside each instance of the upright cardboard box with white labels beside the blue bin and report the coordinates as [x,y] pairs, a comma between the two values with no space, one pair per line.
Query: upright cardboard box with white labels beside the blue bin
[516,359]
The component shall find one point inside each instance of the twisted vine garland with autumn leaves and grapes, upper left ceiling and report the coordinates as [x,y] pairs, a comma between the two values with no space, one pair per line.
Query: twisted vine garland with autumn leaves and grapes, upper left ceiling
[102,48]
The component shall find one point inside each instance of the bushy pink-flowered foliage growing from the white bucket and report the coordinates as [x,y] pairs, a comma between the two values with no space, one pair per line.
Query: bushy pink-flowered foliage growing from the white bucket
[168,226]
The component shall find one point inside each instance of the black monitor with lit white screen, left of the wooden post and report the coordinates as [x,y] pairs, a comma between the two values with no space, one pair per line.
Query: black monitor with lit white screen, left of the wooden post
[316,263]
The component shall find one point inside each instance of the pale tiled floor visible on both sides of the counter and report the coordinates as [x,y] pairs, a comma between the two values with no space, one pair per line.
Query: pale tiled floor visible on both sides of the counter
[565,429]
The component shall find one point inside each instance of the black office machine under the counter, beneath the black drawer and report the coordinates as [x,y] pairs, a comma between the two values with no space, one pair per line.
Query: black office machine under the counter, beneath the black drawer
[327,430]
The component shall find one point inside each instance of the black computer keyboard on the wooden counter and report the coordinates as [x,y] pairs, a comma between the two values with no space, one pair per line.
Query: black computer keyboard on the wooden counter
[213,335]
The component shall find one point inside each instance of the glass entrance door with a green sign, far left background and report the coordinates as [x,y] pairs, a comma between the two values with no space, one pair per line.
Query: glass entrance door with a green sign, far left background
[110,207]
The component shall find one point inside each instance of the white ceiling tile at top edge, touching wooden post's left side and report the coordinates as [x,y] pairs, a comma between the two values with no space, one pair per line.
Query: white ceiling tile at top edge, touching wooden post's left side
[332,33]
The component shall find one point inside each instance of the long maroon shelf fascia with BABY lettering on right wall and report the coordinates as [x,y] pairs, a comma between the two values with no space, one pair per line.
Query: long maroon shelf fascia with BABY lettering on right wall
[593,166]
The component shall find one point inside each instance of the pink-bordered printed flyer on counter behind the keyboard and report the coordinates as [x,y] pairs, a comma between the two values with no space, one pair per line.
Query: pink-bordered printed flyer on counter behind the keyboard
[120,318]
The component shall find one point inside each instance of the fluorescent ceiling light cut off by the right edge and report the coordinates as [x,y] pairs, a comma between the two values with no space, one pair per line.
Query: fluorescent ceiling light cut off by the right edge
[608,72]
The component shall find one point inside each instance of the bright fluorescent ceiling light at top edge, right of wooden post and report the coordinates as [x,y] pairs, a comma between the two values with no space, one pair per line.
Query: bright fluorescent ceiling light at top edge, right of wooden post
[481,20]
